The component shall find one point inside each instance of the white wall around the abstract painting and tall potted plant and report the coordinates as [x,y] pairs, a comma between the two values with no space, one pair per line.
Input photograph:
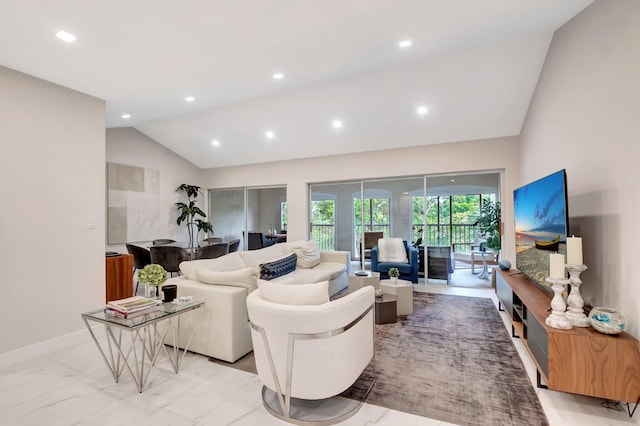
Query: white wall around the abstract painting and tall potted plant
[129,146]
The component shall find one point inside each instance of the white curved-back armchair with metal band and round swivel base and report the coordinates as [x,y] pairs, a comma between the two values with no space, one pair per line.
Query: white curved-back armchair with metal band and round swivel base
[307,354]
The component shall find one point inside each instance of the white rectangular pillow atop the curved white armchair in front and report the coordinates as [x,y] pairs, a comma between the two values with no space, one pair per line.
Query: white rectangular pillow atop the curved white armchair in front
[294,294]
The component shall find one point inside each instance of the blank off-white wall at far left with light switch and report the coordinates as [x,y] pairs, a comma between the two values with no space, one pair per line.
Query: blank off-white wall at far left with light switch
[52,181]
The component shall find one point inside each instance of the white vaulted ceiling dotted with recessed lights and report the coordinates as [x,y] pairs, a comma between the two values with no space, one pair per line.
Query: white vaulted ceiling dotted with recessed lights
[472,65]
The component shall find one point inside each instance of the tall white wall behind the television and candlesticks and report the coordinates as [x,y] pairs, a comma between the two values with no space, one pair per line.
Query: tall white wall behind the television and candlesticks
[585,117]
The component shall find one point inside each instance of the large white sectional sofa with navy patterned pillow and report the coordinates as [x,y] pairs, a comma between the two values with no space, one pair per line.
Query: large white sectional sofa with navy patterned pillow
[222,328]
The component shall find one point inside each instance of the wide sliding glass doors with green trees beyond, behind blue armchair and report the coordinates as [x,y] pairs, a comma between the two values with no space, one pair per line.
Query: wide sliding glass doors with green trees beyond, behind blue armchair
[426,211]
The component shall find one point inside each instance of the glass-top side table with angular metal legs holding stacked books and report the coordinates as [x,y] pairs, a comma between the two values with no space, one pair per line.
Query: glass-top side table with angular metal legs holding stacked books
[139,353]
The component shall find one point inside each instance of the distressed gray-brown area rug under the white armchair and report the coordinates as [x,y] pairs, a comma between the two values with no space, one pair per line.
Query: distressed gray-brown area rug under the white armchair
[451,360]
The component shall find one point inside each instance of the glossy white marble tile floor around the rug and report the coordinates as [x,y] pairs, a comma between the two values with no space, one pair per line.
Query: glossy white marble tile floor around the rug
[71,385]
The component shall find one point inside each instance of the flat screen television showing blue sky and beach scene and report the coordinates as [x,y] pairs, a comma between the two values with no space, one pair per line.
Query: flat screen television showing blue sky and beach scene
[541,225]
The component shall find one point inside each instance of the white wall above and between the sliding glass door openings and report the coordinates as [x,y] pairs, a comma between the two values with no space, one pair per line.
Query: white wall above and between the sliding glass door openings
[499,154]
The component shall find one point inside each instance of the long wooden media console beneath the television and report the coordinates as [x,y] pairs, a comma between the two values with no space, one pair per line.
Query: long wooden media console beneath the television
[581,360]
